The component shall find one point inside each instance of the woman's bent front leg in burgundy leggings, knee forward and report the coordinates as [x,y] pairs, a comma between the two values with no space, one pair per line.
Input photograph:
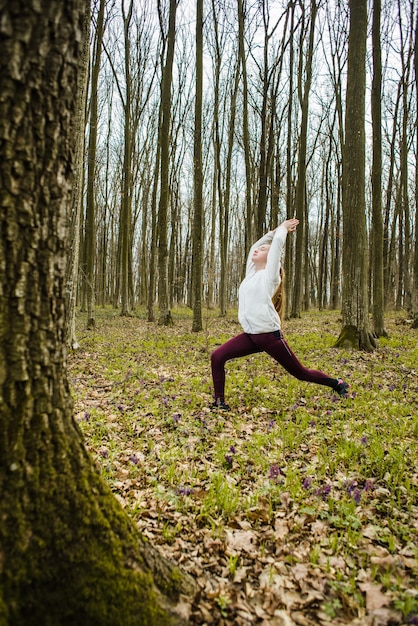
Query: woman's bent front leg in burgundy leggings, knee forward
[241,345]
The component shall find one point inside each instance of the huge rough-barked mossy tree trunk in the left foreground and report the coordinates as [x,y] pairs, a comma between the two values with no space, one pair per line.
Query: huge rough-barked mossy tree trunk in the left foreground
[68,552]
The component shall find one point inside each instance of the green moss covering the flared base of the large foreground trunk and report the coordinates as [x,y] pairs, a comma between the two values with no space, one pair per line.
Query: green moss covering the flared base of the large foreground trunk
[76,558]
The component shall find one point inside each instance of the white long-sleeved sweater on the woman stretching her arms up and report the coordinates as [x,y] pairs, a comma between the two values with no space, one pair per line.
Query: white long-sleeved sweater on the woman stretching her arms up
[256,312]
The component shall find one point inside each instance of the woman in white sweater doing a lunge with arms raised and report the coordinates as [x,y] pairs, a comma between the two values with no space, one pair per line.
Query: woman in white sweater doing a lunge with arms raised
[260,300]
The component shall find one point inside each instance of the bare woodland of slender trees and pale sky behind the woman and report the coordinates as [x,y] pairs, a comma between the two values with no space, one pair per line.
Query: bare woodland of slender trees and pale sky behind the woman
[197,143]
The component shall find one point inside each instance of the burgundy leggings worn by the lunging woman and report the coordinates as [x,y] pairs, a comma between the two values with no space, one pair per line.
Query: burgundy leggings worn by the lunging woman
[272,343]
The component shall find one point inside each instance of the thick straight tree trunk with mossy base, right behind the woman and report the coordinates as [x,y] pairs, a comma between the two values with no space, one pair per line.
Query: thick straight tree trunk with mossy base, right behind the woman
[355,331]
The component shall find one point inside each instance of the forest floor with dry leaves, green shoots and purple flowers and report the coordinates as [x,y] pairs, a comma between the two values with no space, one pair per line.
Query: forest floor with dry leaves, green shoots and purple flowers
[296,507]
